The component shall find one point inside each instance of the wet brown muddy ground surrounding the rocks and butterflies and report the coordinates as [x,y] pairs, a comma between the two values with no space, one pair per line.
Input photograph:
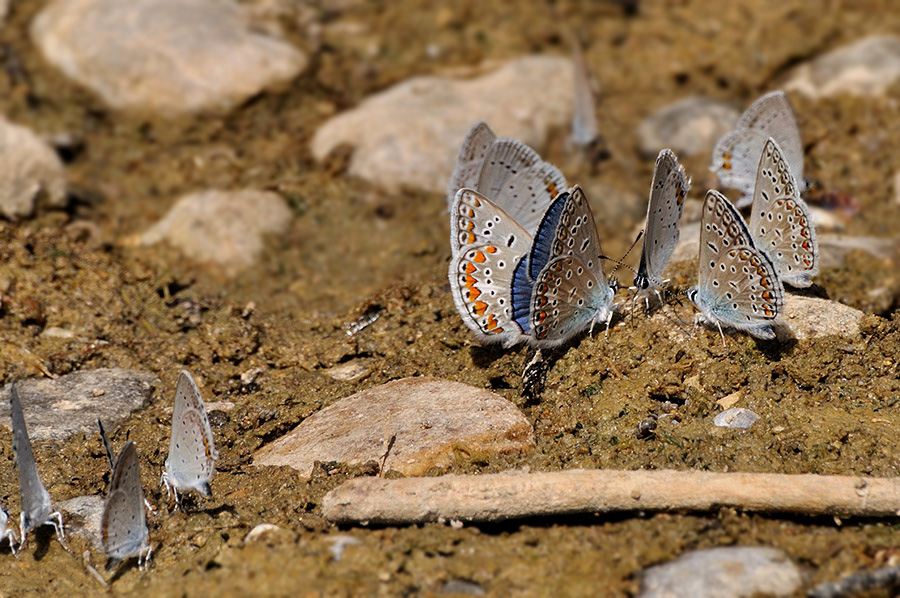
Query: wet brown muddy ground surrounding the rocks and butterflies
[826,406]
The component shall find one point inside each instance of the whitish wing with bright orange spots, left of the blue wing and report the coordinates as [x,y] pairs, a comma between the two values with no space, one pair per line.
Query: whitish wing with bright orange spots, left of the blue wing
[491,245]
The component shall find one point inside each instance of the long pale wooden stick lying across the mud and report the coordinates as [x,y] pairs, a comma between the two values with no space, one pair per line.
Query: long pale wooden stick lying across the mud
[498,497]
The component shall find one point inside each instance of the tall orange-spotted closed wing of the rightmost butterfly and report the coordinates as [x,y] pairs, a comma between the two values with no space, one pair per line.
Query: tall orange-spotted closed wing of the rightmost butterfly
[780,221]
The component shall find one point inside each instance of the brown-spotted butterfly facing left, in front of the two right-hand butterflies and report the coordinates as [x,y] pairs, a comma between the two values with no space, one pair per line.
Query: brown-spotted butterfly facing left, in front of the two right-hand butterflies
[738,286]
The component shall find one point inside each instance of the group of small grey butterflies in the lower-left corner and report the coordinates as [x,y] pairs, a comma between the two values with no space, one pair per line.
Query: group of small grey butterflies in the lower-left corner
[123,527]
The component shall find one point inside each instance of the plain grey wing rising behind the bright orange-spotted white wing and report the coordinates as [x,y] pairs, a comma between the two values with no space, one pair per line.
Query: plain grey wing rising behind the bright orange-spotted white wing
[515,178]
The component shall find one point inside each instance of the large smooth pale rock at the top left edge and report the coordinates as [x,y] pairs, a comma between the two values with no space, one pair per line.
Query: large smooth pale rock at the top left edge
[167,56]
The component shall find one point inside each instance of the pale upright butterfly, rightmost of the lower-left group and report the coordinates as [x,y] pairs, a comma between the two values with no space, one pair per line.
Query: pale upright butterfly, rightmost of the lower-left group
[192,454]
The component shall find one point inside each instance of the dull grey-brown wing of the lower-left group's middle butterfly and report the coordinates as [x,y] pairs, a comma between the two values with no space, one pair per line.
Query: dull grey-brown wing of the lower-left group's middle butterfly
[124,525]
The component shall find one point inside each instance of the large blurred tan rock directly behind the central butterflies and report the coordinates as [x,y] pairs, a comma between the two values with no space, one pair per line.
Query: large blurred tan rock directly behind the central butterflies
[409,135]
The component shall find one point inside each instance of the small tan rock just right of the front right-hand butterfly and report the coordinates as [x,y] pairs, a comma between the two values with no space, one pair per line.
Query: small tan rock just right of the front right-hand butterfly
[812,317]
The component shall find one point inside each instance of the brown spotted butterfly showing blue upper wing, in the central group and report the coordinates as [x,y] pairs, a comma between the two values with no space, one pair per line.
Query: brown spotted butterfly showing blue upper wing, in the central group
[568,287]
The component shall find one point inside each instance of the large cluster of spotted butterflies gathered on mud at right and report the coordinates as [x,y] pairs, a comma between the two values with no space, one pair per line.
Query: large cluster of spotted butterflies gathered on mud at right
[526,262]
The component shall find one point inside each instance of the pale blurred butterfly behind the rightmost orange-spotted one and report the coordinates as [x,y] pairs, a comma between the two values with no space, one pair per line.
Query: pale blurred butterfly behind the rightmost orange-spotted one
[736,156]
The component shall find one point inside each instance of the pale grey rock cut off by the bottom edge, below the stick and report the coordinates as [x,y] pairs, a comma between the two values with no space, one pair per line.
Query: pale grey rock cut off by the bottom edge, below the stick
[730,572]
